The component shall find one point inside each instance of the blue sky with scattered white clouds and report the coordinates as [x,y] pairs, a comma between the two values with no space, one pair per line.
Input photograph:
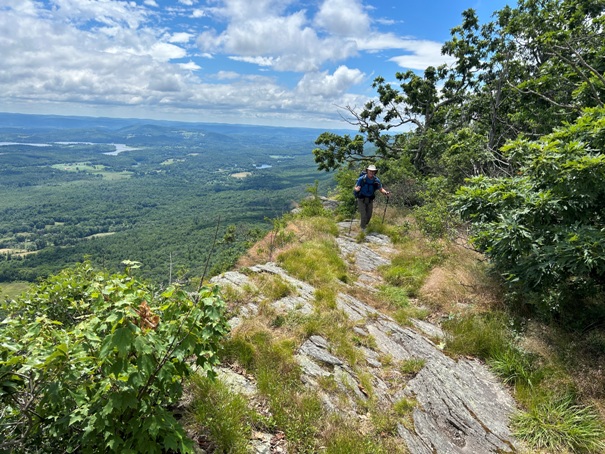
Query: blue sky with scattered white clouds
[297,63]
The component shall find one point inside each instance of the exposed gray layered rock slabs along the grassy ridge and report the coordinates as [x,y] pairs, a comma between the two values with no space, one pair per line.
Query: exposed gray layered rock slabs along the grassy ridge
[461,407]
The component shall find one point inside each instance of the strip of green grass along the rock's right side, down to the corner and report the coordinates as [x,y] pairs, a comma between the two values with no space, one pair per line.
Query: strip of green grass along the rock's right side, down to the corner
[553,420]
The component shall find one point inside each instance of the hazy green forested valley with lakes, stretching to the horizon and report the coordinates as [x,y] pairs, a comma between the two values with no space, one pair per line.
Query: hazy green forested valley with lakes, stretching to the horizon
[151,191]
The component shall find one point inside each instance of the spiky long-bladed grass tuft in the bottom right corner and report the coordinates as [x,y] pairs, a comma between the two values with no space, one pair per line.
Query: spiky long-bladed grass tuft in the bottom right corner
[561,426]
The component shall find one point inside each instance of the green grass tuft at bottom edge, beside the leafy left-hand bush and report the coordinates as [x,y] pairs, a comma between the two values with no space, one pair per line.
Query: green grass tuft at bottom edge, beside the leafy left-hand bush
[224,414]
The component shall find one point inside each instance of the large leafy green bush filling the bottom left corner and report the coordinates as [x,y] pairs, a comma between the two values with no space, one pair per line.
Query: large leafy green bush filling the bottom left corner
[91,361]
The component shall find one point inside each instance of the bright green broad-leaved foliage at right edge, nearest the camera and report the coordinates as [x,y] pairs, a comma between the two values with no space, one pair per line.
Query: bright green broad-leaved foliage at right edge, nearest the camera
[543,228]
